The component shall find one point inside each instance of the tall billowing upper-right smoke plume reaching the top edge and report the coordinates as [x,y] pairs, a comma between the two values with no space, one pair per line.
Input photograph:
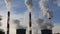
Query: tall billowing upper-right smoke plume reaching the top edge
[44,9]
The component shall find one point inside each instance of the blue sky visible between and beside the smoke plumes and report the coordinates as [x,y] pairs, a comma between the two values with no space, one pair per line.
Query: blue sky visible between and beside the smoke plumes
[19,7]
